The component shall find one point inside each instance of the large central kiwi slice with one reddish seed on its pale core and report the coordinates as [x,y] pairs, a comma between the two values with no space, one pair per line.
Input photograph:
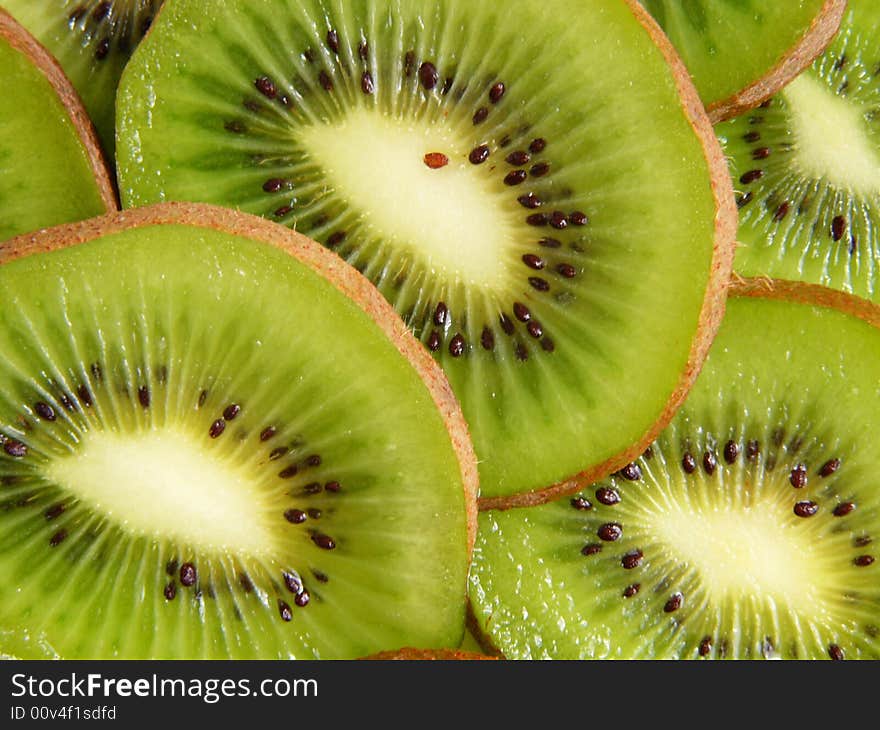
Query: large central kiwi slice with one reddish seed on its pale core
[520,215]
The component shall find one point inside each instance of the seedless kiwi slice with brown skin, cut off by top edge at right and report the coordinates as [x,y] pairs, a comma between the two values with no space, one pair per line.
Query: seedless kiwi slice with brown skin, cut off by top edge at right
[740,52]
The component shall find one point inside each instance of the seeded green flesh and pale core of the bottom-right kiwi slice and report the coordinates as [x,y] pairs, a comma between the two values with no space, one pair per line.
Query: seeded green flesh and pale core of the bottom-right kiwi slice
[745,531]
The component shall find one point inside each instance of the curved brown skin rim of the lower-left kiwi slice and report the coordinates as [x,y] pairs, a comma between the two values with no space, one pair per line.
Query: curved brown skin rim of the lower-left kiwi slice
[318,258]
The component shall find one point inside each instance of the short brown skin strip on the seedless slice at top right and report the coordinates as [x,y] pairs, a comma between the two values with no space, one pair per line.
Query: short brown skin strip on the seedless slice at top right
[810,46]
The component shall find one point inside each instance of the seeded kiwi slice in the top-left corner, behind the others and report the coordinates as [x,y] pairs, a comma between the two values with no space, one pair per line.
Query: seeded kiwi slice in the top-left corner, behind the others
[92,39]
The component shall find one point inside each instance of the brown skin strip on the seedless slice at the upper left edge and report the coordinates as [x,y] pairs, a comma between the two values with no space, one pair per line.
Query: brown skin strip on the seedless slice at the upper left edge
[21,40]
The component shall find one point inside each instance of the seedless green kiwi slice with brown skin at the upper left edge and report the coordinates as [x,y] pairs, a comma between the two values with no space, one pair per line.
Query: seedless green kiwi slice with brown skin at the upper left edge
[51,168]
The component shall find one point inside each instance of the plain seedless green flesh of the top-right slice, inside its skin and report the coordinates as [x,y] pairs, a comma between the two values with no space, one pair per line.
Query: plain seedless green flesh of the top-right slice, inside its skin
[729,44]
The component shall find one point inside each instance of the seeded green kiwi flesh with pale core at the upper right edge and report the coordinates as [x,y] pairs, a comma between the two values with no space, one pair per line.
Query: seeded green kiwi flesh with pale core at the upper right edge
[807,168]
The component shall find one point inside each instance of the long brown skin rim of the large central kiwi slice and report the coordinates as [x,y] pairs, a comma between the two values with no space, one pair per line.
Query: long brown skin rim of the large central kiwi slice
[712,312]
